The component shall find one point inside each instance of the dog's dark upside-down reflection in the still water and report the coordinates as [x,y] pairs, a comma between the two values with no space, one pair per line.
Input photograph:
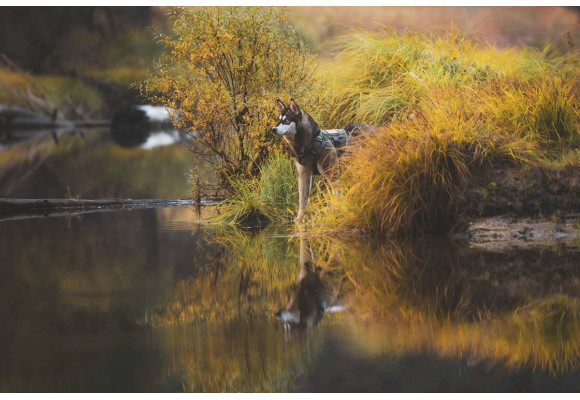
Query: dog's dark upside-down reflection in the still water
[314,296]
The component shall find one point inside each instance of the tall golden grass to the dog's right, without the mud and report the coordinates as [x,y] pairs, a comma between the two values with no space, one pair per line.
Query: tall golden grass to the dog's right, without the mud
[447,108]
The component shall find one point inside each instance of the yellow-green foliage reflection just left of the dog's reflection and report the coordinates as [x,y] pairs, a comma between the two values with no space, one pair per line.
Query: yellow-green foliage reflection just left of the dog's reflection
[250,276]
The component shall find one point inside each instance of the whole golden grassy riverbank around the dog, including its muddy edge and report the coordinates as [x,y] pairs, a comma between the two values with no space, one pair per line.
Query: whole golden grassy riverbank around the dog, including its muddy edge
[464,129]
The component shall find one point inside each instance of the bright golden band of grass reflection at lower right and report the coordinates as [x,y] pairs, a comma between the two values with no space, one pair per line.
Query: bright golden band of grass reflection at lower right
[544,334]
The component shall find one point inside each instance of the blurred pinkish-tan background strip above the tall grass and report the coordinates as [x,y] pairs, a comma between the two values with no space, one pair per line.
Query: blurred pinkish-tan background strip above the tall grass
[503,26]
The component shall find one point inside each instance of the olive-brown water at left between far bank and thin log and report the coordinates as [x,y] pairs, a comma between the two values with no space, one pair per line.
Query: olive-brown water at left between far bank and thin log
[94,167]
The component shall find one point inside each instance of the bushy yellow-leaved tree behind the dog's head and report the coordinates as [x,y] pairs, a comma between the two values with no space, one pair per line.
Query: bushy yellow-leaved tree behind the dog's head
[222,70]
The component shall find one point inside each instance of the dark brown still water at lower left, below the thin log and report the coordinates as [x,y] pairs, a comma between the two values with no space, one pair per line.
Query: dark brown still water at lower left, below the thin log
[70,292]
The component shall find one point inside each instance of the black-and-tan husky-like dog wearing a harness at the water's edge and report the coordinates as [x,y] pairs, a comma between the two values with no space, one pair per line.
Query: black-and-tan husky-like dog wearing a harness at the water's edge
[315,151]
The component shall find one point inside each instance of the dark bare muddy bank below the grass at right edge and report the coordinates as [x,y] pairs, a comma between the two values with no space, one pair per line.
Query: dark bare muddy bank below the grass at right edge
[514,207]
